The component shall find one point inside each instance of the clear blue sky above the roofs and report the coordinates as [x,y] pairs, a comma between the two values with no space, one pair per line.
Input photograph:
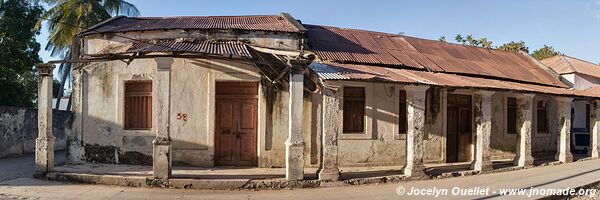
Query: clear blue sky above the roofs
[572,27]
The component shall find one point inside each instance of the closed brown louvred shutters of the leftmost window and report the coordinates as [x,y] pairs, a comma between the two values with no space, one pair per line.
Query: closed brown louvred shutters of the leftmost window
[138,105]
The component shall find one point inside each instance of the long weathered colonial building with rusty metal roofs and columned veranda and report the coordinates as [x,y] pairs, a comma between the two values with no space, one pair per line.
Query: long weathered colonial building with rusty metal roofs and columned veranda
[269,91]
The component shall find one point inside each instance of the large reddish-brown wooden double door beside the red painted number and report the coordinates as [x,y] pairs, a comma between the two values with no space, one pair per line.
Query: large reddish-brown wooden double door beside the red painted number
[236,124]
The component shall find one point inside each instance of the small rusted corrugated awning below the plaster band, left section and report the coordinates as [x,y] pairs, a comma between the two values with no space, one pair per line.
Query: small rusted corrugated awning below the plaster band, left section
[219,48]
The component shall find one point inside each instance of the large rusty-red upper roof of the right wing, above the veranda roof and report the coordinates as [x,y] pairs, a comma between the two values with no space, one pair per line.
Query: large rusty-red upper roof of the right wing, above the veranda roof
[375,48]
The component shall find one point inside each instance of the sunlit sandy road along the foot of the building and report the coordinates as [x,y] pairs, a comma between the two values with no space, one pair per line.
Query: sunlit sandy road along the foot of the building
[550,177]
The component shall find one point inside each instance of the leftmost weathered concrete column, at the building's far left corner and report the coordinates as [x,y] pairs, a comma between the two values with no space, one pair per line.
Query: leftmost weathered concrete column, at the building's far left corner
[44,143]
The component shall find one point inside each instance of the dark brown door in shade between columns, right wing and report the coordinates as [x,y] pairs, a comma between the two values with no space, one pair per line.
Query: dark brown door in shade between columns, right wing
[459,132]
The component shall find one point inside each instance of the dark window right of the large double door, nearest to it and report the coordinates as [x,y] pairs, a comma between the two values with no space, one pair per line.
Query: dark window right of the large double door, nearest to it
[354,109]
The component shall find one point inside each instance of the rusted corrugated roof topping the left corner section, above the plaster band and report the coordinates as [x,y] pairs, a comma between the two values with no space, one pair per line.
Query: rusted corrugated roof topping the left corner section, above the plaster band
[258,23]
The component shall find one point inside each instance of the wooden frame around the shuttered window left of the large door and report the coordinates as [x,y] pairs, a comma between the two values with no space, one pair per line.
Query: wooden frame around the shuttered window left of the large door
[125,111]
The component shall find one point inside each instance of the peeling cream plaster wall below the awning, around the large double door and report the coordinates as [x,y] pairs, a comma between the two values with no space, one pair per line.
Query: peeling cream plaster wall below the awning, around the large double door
[192,94]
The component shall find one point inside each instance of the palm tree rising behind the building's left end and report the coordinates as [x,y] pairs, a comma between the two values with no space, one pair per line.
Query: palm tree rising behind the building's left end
[65,18]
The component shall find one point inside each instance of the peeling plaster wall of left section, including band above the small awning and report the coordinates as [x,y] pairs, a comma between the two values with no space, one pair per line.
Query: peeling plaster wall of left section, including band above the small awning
[192,94]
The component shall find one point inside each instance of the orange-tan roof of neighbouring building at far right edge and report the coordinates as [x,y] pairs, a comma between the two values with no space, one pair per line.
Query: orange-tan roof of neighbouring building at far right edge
[565,65]
